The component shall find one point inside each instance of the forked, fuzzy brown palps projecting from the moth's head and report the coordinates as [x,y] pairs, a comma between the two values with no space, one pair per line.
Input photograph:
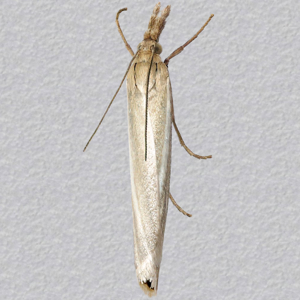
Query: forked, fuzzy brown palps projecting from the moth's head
[157,23]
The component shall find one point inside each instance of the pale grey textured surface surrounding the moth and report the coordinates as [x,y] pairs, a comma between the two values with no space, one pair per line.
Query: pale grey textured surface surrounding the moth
[66,223]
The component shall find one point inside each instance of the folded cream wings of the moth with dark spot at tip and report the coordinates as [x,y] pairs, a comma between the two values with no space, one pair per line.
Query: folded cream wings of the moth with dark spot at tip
[150,180]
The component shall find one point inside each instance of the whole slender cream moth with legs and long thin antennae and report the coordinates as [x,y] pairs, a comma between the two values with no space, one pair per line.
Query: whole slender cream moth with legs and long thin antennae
[150,119]
